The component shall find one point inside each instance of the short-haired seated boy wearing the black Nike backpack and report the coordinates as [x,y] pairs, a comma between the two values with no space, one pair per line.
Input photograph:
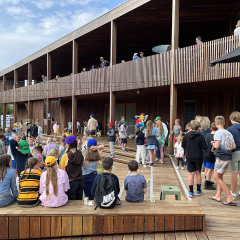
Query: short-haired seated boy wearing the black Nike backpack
[107,164]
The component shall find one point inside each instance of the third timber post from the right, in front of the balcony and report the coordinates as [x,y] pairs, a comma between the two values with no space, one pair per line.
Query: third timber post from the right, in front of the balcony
[74,98]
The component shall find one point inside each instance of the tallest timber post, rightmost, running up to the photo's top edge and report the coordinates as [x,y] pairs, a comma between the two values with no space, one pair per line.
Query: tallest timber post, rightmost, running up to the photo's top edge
[173,88]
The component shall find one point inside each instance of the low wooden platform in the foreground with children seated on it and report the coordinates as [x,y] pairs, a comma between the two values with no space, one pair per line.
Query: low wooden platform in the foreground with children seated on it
[77,219]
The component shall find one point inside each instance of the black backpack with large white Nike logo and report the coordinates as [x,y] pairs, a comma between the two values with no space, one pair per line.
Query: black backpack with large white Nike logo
[106,191]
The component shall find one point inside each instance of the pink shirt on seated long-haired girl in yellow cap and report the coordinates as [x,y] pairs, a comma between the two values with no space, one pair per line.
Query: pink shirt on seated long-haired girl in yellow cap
[63,186]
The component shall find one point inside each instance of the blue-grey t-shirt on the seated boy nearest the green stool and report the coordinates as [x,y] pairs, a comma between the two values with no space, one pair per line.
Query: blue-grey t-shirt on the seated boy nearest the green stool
[134,185]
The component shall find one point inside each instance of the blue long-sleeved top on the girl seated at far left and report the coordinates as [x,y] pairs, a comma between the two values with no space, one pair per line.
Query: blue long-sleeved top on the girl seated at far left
[9,183]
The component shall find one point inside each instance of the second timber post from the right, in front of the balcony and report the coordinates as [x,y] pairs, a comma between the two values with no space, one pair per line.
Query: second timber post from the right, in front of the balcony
[113,61]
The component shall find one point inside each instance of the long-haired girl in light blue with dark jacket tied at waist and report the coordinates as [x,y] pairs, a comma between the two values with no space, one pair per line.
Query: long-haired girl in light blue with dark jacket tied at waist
[151,133]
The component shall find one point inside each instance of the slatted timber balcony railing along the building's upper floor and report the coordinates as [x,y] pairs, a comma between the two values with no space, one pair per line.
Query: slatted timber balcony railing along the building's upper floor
[191,65]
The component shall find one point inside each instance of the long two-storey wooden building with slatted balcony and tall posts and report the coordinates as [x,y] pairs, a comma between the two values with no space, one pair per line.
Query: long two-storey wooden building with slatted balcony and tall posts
[178,83]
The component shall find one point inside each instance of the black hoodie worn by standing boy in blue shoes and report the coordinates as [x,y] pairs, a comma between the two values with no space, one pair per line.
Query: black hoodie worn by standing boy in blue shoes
[193,144]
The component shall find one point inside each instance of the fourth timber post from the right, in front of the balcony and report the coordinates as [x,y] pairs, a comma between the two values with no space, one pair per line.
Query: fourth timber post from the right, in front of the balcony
[49,77]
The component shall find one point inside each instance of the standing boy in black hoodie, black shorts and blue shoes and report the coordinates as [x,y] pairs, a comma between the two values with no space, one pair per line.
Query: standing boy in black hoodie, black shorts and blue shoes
[193,144]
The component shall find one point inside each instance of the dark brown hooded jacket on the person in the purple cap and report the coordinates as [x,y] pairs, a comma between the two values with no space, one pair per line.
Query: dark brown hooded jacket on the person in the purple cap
[74,165]
